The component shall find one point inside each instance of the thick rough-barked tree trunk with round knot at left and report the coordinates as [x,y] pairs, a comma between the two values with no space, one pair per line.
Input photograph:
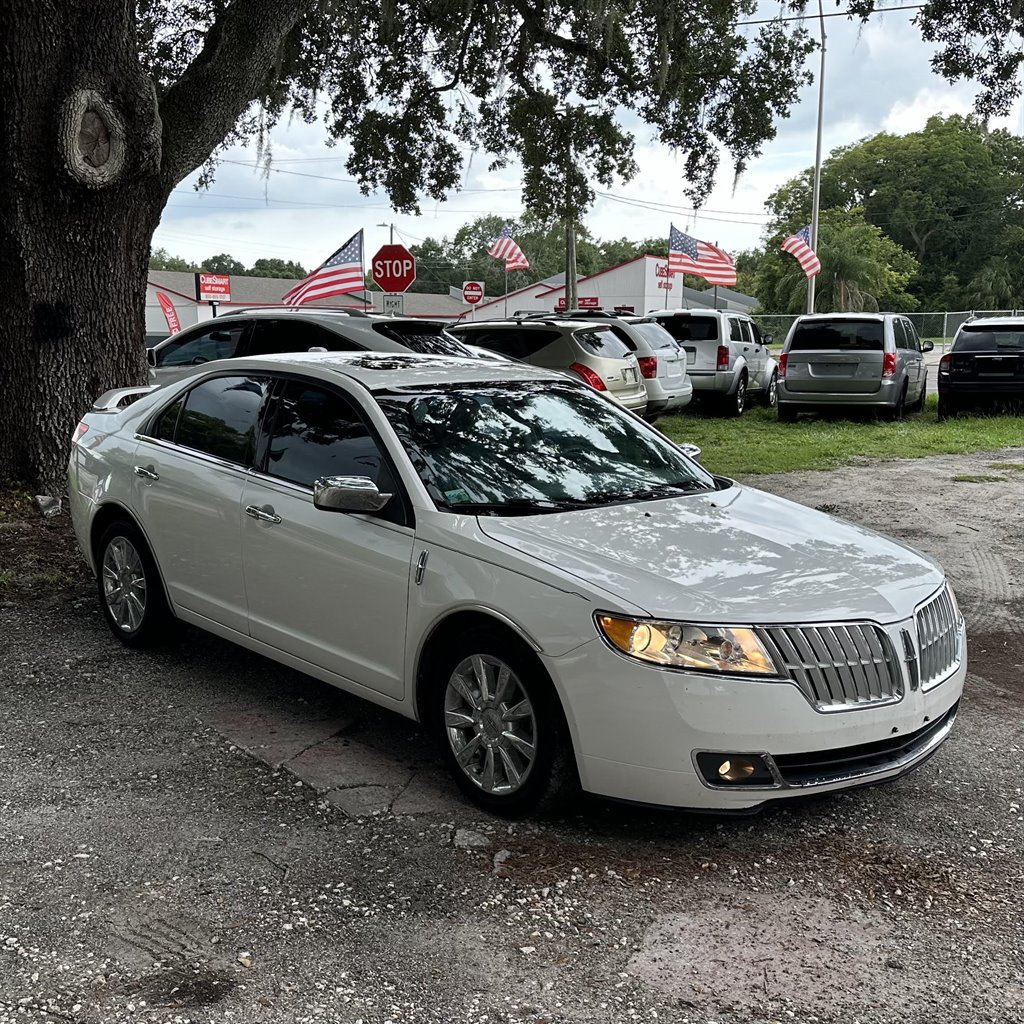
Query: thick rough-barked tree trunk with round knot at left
[80,198]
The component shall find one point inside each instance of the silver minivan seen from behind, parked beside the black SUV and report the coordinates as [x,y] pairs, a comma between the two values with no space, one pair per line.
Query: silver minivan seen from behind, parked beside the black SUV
[869,361]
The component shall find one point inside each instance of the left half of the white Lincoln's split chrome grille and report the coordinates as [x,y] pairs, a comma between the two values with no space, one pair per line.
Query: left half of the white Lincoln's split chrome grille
[839,667]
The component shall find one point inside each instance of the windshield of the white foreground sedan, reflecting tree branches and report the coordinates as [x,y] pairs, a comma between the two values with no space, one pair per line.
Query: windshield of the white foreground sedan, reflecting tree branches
[532,448]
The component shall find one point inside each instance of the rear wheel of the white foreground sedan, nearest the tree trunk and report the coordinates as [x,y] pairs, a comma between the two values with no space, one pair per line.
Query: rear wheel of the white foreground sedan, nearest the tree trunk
[130,588]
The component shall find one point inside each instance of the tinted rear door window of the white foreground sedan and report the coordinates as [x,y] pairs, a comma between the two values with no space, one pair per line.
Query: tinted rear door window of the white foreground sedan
[221,417]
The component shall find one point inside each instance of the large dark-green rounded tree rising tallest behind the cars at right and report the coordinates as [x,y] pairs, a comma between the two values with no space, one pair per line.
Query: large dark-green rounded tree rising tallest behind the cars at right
[952,194]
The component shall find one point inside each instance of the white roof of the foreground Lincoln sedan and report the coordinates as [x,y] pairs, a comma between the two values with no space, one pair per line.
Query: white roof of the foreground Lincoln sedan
[380,371]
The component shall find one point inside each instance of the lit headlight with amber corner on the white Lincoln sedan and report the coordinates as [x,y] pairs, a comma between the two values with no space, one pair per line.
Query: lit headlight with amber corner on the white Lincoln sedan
[687,646]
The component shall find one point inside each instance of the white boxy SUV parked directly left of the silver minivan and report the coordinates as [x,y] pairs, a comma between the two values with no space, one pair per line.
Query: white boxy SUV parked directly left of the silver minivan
[727,358]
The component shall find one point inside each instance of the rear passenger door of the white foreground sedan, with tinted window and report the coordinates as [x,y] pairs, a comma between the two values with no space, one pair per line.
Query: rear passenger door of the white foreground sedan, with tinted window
[191,471]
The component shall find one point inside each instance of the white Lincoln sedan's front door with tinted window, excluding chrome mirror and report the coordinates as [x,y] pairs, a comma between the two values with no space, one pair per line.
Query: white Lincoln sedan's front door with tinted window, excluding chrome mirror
[330,588]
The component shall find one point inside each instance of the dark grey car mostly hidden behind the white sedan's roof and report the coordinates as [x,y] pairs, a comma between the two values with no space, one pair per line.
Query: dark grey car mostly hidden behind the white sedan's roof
[268,330]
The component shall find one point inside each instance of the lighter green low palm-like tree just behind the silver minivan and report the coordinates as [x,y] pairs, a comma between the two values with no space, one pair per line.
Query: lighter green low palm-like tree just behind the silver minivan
[862,270]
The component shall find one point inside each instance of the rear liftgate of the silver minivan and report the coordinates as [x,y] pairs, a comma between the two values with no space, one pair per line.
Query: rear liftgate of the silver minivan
[841,357]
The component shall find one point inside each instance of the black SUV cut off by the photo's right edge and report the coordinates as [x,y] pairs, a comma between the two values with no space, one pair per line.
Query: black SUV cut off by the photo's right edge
[985,368]
